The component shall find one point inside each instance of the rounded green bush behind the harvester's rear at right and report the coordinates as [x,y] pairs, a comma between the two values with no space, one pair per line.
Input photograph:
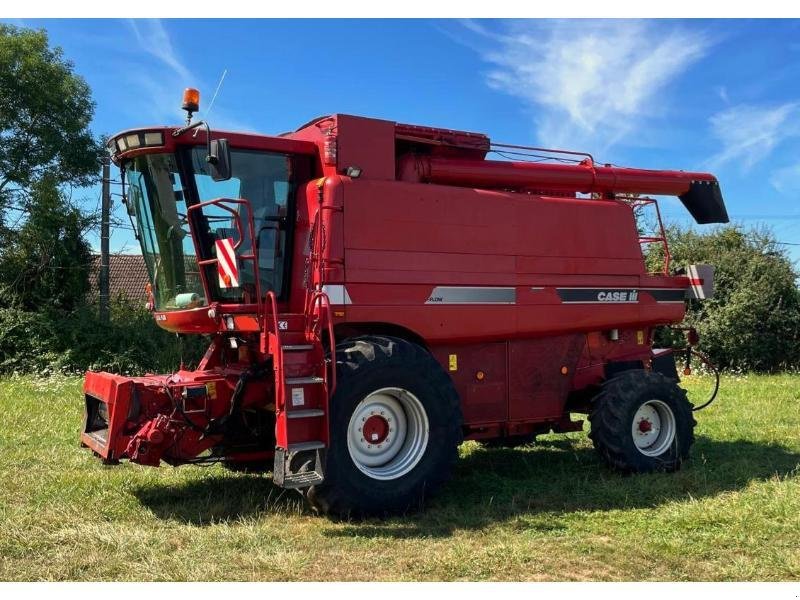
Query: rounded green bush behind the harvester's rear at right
[753,320]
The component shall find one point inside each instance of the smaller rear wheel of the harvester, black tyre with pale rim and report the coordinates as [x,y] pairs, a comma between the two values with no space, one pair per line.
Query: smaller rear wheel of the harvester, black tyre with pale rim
[642,422]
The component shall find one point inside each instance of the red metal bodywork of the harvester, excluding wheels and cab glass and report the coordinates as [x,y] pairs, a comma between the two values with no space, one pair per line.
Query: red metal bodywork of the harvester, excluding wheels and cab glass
[499,268]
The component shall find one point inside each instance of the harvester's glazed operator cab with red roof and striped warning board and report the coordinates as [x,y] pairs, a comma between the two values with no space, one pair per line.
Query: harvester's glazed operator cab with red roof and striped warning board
[198,231]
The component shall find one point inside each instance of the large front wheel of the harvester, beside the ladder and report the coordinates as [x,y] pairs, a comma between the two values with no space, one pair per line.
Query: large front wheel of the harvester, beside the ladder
[395,425]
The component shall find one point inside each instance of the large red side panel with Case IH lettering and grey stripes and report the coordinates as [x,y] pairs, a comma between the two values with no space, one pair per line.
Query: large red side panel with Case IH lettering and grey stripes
[458,265]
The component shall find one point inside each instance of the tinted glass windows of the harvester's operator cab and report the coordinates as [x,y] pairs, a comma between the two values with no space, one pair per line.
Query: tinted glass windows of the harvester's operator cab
[162,189]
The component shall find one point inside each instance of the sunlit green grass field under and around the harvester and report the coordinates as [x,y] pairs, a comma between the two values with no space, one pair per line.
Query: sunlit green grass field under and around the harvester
[551,511]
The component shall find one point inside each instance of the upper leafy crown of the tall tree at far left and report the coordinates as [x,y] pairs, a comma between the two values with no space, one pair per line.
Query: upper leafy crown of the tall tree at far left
[45,112]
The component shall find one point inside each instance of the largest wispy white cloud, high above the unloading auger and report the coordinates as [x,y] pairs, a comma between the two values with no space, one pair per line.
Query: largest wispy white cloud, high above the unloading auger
[590,82]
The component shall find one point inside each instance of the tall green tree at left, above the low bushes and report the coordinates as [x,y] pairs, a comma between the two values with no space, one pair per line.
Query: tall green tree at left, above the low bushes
[45,145]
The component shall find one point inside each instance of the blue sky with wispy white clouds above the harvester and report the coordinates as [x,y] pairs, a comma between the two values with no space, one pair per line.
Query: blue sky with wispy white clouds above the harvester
[718,95]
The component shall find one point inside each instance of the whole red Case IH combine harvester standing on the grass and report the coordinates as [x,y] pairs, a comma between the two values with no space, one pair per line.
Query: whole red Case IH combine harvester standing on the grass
[375,293]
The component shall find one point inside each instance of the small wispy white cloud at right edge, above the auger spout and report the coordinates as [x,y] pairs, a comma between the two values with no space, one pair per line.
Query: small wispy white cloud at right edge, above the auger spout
[748,133]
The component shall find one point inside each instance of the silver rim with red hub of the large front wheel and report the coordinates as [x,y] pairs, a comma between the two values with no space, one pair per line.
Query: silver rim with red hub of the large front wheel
[388,433]
